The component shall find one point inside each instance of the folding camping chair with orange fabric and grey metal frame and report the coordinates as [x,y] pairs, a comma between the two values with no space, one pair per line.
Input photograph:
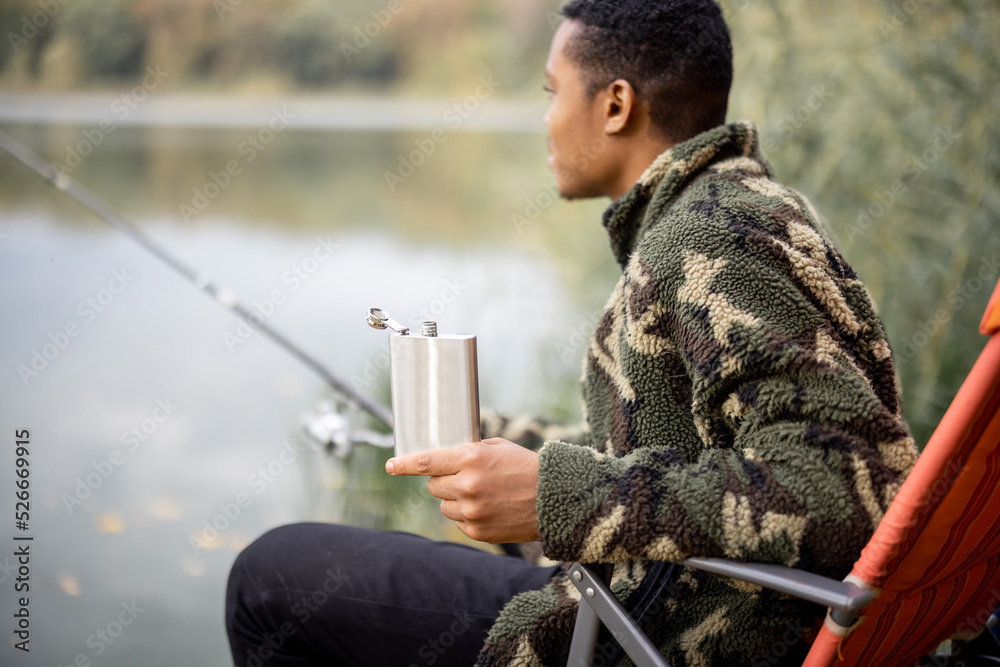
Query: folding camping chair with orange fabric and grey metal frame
[930,572]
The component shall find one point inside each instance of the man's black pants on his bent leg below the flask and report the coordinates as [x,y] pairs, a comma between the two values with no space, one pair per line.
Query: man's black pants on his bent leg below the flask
[322,594]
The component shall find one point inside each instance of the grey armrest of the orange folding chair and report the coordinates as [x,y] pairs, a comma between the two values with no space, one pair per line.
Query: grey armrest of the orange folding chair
[838,595]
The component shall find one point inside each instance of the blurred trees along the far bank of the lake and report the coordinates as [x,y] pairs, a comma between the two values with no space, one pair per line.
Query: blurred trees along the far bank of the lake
[314,44]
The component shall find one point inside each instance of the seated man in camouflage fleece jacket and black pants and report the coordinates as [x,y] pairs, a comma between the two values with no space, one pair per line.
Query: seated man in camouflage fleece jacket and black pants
[739,394]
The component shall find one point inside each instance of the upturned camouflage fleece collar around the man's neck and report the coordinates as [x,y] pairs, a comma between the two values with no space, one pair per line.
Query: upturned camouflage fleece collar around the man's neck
[629,216]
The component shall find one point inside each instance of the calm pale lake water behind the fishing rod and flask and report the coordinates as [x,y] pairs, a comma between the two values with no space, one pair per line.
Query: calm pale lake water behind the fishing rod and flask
[148,421]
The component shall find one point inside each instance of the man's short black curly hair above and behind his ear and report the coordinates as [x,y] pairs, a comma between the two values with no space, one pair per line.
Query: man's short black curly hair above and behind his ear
[677,54]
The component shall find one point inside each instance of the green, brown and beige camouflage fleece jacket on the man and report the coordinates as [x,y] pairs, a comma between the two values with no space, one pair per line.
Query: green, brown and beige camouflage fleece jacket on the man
[740,401]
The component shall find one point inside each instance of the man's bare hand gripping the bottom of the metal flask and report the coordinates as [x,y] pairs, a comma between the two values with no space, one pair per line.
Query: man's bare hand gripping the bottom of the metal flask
[488,488]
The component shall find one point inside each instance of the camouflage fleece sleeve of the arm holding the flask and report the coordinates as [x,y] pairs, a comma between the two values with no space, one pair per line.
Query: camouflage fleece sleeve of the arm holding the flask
[753,414]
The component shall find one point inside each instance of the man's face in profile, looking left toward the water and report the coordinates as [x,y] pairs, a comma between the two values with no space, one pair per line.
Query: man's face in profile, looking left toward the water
[575,121]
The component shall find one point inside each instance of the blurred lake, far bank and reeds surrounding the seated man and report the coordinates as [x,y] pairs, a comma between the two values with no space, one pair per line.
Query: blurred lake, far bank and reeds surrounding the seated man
[319,158]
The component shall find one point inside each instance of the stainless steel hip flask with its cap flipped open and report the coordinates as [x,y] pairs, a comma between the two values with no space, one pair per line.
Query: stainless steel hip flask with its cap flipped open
[435,386]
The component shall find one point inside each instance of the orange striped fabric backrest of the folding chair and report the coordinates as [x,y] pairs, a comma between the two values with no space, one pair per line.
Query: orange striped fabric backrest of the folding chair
[936,553]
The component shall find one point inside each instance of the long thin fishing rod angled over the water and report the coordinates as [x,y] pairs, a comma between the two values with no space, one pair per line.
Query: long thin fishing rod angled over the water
[224,297]
